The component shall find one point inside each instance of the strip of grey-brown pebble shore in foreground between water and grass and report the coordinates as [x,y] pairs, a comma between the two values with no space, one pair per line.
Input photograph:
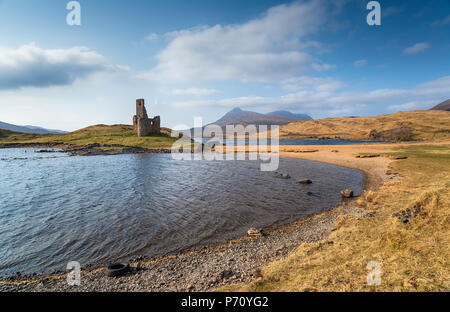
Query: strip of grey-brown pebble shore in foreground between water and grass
[238,261]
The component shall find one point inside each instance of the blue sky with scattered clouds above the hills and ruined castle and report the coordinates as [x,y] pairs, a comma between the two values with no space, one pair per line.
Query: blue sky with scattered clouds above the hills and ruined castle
[203,58]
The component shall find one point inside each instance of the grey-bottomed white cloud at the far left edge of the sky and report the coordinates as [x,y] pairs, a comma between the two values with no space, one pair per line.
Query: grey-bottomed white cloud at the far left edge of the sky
[32,66]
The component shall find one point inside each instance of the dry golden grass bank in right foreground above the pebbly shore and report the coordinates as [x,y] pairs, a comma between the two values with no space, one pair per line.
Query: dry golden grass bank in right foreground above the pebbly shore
[413,257]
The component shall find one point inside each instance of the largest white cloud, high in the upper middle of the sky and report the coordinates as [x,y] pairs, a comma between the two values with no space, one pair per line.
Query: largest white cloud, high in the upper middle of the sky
[265,49]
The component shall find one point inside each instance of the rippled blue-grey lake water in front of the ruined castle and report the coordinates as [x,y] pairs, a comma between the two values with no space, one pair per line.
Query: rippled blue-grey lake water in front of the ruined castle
[95,210]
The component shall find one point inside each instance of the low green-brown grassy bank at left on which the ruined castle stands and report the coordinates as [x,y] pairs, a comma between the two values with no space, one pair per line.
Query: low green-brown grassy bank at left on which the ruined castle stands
[101,134]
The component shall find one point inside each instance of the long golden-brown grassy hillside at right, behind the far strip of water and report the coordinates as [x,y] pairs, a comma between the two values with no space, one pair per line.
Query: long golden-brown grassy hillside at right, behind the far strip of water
[416,125]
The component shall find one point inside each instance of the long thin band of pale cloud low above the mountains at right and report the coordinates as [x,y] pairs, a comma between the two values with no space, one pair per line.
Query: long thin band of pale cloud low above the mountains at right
[334,100]
